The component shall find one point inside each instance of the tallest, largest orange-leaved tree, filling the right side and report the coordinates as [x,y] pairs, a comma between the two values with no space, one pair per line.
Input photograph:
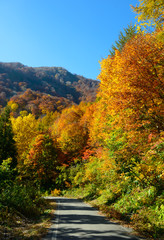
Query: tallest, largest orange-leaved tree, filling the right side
[128,116]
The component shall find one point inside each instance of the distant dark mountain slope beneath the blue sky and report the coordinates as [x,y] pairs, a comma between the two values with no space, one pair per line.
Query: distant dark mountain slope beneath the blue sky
[16,78]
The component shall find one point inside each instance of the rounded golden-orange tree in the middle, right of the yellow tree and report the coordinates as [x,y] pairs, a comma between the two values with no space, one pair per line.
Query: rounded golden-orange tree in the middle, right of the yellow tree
[69,131]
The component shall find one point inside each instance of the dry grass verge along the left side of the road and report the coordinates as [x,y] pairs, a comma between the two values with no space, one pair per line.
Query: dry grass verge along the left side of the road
[18,227]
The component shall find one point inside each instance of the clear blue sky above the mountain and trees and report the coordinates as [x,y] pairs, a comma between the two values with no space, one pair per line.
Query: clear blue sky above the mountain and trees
[74,34]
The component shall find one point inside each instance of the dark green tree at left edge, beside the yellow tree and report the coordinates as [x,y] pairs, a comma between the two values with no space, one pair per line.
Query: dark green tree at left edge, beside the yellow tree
[7,143]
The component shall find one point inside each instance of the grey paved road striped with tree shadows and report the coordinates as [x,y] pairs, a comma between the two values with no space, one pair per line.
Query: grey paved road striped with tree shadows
[75,220]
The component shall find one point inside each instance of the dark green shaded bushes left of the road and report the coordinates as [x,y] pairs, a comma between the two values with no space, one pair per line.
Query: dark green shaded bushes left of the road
[17,197]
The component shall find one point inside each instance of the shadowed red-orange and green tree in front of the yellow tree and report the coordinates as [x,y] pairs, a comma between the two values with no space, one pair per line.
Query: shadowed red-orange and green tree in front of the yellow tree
[41,161]
